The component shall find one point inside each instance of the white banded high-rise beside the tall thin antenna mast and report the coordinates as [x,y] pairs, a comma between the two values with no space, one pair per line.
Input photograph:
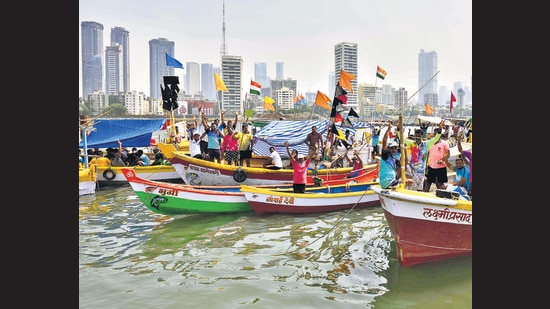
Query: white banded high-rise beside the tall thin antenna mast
[232,70]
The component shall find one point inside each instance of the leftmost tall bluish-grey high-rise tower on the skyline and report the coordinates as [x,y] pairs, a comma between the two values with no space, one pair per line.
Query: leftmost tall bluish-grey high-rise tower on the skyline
[92,57]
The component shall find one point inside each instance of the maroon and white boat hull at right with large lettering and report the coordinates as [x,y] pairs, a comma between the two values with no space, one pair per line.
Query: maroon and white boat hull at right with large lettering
[427,228]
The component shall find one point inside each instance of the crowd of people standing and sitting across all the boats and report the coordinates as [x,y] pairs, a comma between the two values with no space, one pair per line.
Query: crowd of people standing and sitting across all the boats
[426,156]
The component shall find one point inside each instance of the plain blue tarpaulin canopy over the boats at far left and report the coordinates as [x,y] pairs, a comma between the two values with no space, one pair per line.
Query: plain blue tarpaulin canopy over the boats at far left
[131,132]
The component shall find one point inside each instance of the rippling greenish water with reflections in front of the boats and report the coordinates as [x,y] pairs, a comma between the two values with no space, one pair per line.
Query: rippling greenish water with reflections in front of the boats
[131,257]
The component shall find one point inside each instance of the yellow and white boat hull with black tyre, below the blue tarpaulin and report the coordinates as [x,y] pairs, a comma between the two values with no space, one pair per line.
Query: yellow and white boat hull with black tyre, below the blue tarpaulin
[107,176]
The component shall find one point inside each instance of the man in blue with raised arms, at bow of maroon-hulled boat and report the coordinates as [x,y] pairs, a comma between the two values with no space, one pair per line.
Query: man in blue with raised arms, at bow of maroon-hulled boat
[390,166]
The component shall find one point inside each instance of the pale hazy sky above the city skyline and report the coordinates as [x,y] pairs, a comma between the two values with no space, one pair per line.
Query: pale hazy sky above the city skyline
[300,33]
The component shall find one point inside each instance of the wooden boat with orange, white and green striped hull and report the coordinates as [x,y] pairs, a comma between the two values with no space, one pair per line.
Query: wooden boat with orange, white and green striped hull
[175,199]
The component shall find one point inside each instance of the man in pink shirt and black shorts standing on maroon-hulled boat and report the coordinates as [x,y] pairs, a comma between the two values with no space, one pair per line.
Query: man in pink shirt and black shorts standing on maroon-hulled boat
[437,169]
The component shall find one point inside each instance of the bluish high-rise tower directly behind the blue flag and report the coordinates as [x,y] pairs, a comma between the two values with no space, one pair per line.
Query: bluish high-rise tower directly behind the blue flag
[157,65]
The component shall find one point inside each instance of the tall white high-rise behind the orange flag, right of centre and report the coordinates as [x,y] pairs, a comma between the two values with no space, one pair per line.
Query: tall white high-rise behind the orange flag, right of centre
[345,58]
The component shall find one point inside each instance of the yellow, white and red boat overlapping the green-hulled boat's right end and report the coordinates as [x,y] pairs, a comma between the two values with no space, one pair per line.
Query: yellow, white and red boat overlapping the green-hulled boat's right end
[329,198]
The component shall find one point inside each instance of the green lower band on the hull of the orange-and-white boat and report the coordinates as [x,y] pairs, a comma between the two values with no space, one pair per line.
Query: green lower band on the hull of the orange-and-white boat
[169,205]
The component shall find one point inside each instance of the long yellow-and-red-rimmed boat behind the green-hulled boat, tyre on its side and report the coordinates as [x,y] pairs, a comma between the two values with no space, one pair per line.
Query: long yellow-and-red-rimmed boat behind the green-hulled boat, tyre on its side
[202,172]
